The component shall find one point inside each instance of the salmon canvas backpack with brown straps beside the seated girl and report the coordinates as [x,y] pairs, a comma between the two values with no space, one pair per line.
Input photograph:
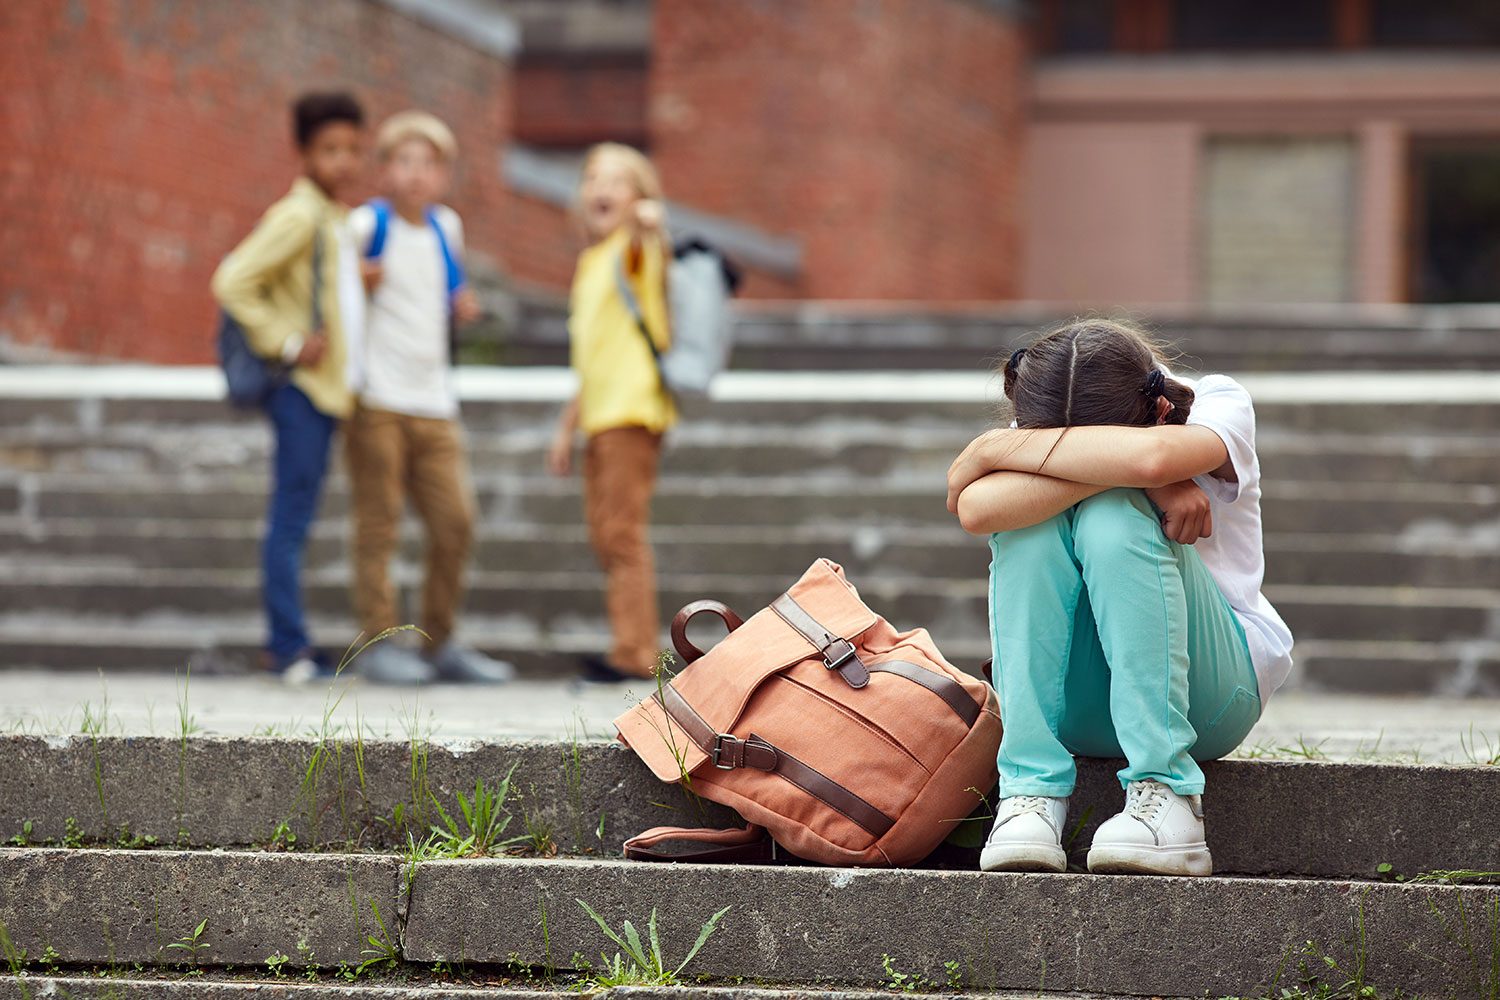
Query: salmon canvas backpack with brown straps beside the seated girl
[844,740]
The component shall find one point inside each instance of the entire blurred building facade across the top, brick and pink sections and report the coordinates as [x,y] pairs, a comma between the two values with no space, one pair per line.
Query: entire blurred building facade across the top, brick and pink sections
[1091,154]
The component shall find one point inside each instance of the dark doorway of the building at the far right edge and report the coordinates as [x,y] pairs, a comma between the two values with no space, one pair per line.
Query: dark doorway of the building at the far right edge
[1456,221]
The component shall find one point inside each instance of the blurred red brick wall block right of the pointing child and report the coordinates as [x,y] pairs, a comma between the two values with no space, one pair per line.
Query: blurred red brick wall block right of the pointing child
[886,134]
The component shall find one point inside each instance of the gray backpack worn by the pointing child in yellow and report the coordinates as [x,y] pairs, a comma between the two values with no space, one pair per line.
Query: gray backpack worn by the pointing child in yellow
[700,286]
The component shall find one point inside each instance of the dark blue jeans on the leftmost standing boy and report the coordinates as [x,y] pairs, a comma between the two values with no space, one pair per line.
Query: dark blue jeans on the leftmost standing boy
[304,436]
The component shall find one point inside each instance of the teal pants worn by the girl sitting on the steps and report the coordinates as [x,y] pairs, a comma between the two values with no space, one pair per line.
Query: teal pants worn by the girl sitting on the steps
[1112,641]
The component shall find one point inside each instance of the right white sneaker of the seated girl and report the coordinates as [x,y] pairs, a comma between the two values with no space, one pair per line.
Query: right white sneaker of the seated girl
[1160,833]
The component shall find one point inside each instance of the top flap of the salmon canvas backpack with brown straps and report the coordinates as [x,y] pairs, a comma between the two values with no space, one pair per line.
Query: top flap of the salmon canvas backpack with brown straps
[712,693]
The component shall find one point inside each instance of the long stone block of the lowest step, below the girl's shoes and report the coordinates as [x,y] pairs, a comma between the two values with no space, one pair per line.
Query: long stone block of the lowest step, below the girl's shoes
[1006,932]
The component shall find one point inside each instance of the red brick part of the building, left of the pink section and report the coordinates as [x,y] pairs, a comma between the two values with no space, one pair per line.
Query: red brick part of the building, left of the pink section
[143,139]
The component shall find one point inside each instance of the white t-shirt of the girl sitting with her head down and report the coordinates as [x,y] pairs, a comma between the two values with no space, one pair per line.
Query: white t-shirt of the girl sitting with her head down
[1234,554]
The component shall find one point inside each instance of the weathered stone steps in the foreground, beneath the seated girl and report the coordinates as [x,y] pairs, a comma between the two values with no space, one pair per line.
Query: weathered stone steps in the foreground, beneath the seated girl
[134,845]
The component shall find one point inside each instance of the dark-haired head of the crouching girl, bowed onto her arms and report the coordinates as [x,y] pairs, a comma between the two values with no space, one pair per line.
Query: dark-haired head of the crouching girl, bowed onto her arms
[1094,373]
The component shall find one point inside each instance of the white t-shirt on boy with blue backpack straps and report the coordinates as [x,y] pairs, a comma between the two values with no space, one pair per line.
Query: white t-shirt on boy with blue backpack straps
[406,353]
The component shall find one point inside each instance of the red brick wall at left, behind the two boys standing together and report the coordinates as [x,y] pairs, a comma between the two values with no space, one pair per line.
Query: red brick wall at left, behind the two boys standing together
[145,137]
